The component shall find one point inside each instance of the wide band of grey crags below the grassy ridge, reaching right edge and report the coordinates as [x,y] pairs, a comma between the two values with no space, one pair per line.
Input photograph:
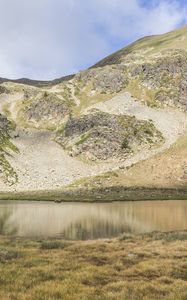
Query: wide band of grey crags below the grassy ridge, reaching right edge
[164,75]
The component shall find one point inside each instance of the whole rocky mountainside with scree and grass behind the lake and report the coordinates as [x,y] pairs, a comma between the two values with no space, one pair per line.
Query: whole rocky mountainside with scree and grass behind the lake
[115,131]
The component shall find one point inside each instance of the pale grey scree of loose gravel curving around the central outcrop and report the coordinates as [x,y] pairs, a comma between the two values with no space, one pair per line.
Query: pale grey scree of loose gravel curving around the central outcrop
[42,163]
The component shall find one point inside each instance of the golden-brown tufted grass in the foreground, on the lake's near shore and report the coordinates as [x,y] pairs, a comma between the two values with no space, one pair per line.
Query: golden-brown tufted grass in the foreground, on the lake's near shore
[150,266]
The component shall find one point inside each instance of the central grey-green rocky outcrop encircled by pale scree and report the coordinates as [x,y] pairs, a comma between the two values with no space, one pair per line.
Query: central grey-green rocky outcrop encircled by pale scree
[101,136]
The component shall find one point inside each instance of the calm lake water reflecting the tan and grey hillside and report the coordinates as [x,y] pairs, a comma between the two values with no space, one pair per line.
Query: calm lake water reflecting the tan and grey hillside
[90,220]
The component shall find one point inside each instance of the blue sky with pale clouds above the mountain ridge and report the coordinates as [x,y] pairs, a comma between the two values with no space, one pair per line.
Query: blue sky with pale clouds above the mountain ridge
[46,39]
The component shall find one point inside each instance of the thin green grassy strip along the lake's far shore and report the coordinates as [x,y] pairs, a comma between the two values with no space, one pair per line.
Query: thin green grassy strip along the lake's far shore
[98,194]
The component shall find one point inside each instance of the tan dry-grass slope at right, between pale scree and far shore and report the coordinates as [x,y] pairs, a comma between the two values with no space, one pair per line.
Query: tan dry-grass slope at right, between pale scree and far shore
[164,170]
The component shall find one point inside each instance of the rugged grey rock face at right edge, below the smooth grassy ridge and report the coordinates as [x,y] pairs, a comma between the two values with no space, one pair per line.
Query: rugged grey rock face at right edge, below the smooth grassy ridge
[167,76]
